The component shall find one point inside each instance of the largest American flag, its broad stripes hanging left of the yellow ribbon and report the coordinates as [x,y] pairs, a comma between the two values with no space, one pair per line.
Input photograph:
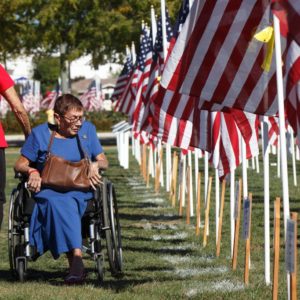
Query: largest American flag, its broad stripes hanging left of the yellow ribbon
[218,57]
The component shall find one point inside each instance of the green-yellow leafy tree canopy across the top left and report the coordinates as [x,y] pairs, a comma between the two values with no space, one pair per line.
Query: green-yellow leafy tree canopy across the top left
[100,28]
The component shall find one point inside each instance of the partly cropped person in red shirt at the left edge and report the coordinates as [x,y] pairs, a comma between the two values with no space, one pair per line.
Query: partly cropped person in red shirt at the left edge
[9,94]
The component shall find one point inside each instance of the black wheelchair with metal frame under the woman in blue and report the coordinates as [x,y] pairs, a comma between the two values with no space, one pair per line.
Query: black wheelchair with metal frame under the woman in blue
[100,225]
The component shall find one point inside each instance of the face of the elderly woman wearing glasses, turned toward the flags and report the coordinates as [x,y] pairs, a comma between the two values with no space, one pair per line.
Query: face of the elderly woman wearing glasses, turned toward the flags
[70,122]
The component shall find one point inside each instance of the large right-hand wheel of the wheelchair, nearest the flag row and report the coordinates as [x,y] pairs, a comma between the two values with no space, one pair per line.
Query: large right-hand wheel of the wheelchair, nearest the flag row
[111,243]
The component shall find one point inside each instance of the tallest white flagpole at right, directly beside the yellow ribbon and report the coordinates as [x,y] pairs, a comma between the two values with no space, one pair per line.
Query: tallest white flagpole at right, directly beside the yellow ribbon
[283,156]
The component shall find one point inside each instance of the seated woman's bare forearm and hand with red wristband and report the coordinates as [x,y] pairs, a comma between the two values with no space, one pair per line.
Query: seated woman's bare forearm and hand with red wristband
[34,179]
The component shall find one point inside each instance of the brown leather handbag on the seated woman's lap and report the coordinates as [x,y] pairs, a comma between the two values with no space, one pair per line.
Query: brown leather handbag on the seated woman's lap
[63,175]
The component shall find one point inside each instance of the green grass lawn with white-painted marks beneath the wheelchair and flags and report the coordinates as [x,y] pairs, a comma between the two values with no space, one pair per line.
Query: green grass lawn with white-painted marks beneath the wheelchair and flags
[163,259]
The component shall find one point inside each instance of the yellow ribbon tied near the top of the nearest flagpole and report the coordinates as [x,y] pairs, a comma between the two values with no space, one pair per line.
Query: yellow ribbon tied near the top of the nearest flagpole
[267,36]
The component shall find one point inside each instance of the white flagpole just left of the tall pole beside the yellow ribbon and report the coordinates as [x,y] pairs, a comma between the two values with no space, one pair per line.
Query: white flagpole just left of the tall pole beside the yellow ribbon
[265,130]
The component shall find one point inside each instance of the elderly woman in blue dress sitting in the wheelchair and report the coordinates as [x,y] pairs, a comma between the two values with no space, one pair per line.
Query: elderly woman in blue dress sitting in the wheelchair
[56,220]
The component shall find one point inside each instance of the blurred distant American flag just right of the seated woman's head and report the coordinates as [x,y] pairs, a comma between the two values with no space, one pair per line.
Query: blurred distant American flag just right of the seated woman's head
[92,98]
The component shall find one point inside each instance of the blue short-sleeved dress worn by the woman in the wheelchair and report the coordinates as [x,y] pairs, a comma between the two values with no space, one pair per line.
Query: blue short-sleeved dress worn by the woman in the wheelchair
[56,219]
